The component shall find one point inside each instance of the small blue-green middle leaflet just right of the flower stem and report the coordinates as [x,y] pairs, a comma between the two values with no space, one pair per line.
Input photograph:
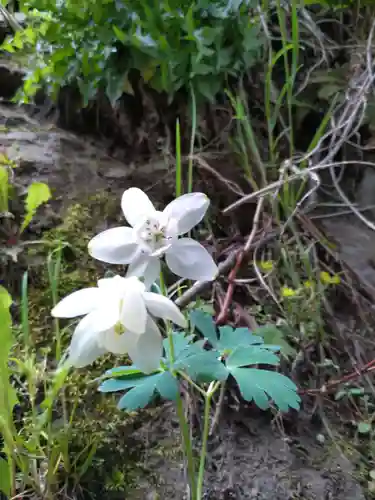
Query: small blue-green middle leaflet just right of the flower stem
[204,366]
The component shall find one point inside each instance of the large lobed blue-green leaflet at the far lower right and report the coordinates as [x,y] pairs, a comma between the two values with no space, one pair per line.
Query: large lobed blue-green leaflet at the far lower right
[263,385]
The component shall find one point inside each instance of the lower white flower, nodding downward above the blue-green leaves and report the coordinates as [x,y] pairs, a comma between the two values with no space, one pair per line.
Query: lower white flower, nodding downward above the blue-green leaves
[117,319]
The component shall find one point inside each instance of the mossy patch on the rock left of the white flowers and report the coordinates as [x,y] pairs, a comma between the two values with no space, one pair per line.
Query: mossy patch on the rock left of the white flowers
[77,268]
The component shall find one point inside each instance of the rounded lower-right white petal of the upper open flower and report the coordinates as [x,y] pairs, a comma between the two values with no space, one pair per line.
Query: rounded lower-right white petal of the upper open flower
[189,259]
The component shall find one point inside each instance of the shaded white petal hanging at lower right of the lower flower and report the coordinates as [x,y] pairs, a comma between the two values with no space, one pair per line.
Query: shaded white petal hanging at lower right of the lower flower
[147,352]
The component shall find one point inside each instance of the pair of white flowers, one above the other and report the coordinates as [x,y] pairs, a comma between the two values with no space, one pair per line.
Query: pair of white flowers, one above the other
[119,314]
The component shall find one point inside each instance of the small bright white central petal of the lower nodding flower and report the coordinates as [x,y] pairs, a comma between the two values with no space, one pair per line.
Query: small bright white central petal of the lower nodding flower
[133,311]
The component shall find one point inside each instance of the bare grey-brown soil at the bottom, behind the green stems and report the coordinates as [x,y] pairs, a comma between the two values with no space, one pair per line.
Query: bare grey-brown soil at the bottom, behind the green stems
[249,458]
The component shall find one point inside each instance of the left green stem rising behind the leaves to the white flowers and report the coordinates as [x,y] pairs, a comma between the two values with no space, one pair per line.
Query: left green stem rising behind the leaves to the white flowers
[186,441]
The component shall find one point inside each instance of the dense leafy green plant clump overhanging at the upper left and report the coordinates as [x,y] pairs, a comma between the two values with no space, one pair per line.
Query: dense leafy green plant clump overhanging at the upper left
[173,45]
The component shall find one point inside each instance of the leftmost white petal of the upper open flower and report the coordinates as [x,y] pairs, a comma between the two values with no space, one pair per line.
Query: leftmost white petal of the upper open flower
[115,246]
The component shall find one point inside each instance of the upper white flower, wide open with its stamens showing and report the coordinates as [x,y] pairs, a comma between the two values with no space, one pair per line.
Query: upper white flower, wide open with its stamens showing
[154,234]
